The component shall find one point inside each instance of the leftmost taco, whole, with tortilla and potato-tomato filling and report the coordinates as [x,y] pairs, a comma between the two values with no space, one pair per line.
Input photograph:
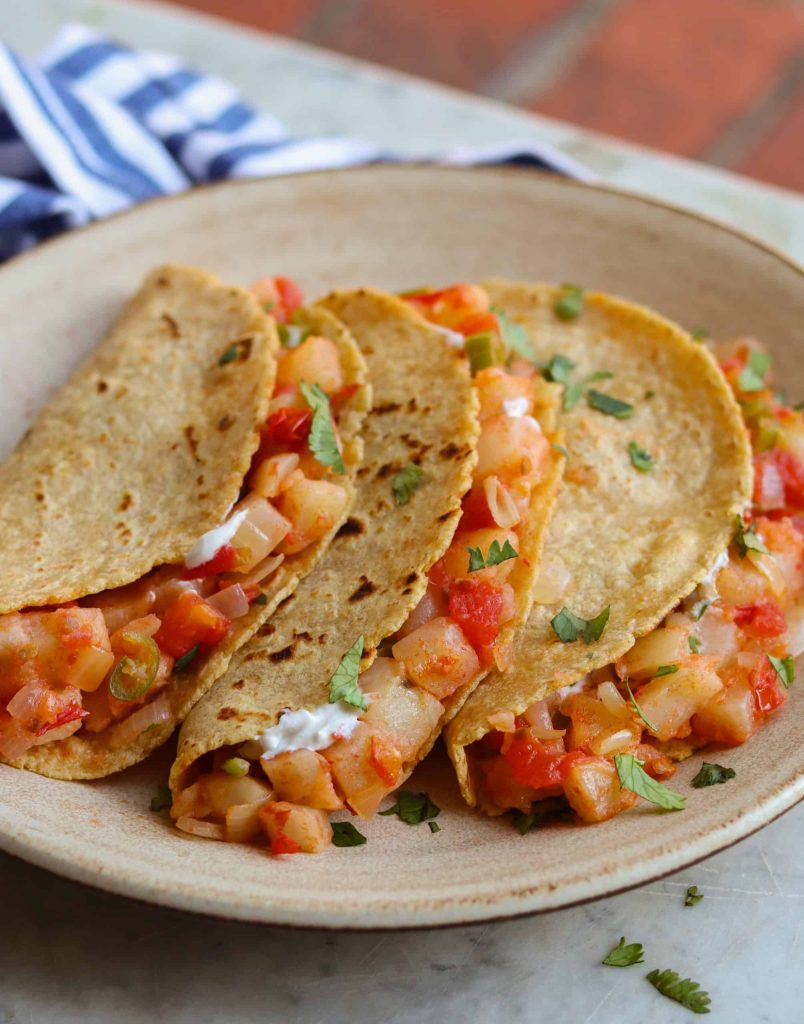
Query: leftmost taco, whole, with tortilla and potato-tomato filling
[159,509]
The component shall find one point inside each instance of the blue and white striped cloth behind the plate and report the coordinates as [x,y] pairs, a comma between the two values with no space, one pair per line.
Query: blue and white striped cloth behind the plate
[93,127]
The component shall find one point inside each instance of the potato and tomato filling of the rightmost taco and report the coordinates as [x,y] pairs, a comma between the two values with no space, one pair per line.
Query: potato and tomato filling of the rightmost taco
[714,671]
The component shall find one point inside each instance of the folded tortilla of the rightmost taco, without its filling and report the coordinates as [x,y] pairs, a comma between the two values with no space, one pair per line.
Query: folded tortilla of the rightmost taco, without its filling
[638,542]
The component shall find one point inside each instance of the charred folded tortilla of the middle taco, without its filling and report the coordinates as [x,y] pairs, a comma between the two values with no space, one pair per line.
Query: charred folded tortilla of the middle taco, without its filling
[375,573]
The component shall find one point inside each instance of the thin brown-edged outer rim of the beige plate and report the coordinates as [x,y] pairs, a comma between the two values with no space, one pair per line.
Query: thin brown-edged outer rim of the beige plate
[453,913]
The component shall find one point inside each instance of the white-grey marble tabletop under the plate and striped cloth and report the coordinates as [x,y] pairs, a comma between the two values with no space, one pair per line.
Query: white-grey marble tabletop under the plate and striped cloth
[70,955]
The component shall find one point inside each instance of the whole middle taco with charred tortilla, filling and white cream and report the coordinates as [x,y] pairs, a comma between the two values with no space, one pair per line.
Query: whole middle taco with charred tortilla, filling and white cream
[309,720]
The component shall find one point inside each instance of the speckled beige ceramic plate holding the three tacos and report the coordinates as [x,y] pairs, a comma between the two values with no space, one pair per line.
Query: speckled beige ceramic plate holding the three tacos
[396,228]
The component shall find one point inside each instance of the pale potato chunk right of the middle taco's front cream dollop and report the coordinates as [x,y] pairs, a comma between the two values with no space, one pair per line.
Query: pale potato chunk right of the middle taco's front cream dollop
[407,714]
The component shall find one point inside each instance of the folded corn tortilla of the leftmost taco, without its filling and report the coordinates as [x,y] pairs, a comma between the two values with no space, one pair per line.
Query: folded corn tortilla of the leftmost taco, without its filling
[161,437]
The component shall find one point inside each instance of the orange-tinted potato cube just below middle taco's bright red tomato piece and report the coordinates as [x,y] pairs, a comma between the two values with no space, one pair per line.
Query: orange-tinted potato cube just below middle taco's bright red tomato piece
[438,658]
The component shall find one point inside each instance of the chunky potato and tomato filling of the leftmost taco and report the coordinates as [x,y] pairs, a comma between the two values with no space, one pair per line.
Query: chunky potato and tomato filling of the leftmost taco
[105,661]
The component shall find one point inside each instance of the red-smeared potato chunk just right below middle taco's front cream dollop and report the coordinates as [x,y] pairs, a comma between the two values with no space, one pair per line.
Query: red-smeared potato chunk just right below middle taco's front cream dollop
[366,767]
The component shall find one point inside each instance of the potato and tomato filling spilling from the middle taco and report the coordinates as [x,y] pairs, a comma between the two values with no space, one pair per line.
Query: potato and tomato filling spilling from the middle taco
[355,751]
